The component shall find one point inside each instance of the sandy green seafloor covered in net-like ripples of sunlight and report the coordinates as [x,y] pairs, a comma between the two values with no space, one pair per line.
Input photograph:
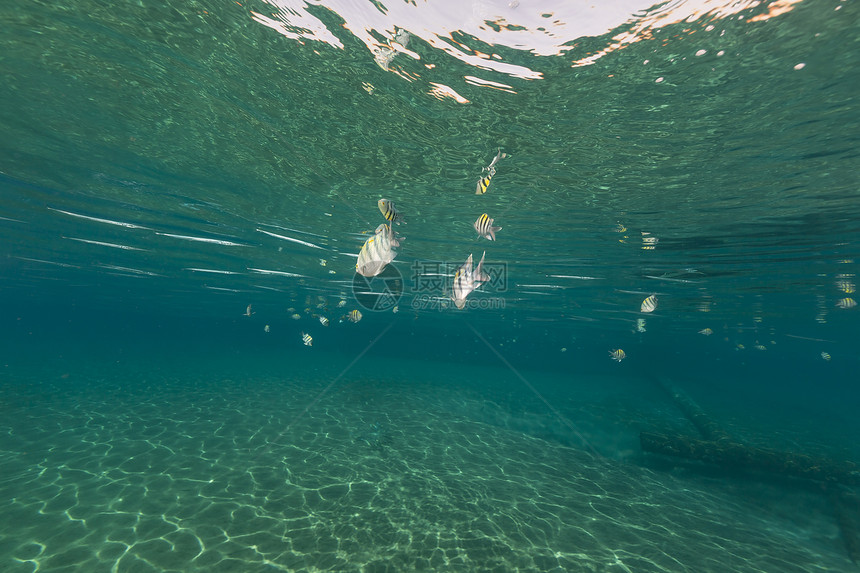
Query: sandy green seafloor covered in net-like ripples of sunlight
[135,467]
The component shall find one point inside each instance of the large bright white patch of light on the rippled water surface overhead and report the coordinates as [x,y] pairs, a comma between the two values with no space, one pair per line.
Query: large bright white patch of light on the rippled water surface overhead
[541,27]
